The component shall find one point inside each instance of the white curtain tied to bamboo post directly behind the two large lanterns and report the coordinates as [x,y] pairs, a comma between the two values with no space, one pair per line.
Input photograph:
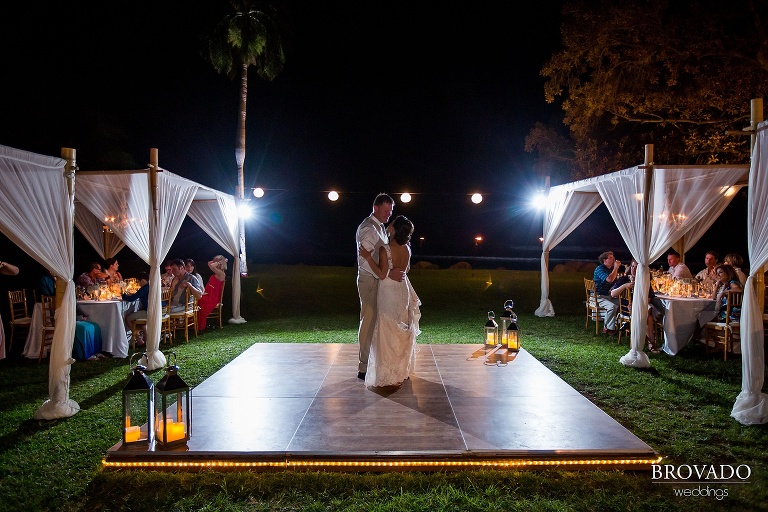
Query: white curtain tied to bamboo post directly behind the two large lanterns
[122,199]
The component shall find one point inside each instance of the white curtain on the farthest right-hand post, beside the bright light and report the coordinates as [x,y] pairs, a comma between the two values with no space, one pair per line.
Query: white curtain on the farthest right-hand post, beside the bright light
[566,209]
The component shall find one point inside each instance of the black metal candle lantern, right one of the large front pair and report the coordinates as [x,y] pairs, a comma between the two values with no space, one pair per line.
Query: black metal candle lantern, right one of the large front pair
[173,413]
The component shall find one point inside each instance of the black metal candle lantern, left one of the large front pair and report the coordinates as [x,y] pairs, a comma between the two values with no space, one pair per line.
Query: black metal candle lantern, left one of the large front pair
[138,405]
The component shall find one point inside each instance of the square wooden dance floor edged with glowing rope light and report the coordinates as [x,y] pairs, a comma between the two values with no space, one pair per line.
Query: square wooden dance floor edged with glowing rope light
[301,406]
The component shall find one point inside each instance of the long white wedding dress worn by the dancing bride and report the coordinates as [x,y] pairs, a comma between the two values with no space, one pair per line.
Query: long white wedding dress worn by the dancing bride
[393,348]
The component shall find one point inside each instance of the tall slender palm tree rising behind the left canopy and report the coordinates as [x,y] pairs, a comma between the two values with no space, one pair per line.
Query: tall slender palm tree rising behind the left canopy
[249,36]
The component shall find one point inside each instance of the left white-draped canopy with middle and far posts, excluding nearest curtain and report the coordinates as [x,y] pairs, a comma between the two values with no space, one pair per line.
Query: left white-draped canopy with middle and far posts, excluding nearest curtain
[145,209]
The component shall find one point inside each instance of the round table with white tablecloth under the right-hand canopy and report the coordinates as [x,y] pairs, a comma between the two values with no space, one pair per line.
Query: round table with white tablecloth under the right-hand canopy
[681,317]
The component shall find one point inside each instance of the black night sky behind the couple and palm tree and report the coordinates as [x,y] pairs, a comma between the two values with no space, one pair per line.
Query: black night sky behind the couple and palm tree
[375,96]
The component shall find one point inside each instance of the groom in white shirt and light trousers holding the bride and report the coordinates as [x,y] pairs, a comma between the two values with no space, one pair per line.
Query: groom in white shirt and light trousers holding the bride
[372,234]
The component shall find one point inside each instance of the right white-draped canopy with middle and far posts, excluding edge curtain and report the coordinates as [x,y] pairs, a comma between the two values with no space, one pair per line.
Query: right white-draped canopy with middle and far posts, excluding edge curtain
[654,208]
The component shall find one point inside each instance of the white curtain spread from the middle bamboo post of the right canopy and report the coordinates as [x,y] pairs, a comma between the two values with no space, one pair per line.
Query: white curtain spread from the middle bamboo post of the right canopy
[653,207]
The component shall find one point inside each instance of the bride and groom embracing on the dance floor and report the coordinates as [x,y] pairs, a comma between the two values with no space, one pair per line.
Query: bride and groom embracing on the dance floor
[389,307]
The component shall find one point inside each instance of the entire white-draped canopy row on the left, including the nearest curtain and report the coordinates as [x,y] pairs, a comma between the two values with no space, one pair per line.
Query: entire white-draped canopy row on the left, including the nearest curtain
[144,208]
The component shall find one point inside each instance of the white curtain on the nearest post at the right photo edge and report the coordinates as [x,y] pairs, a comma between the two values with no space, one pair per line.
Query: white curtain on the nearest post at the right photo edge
[751,406]
